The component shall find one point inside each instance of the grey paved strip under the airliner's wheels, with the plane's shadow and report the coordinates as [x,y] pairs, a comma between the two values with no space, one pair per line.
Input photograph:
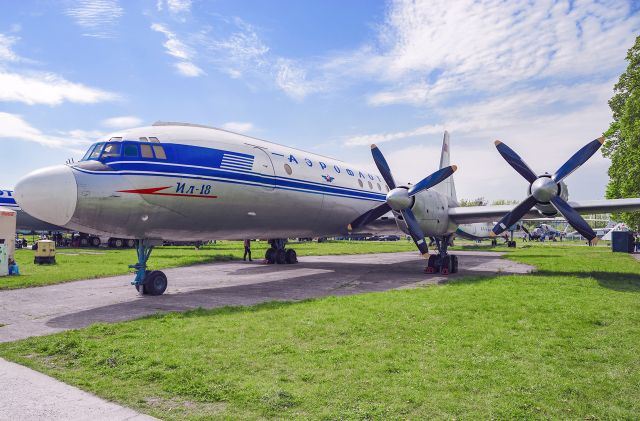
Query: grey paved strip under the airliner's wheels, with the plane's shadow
[44,310]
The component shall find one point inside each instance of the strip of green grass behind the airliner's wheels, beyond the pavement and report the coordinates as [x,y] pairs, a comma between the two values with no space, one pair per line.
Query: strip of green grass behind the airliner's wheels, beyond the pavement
[74,264]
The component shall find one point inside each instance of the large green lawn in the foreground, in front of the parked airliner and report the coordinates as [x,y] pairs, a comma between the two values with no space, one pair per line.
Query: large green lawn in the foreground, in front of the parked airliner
[560,343]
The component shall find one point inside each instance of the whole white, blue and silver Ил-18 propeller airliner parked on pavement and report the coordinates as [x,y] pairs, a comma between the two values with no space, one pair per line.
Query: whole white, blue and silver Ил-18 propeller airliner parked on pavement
[192,182]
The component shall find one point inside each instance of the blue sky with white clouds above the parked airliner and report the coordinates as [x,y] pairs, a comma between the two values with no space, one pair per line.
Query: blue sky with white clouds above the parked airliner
[329,76]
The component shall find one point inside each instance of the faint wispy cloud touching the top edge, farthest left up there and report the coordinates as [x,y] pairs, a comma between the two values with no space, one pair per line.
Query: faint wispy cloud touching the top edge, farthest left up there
[97,18]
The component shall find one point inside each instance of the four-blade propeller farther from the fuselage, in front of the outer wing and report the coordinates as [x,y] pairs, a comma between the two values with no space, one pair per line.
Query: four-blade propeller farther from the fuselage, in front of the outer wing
[545,189]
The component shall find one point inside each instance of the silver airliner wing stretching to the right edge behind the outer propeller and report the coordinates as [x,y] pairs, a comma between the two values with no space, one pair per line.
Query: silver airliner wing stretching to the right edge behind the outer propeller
[466,215]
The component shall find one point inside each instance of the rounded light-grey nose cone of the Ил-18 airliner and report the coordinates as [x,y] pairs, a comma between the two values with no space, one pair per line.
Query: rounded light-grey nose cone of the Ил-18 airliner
[49,194]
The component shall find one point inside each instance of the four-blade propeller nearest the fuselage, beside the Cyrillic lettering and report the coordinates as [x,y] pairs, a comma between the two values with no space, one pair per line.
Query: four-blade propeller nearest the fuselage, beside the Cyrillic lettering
[401,199]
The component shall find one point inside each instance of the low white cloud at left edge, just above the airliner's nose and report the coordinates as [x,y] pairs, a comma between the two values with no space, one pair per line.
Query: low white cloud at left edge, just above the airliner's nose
[15,127]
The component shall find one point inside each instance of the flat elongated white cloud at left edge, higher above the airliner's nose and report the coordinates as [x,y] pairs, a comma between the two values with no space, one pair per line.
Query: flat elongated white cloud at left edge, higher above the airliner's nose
[49,89]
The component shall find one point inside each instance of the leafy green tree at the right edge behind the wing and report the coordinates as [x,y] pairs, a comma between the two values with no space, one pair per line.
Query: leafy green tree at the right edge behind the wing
[622,143]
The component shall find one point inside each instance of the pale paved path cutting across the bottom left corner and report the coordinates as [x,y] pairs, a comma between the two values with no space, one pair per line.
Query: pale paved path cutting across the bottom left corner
[28,395]
